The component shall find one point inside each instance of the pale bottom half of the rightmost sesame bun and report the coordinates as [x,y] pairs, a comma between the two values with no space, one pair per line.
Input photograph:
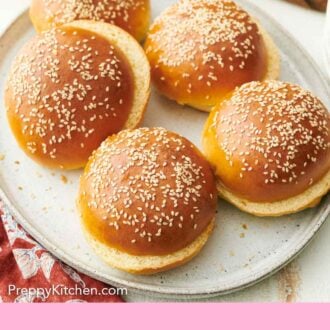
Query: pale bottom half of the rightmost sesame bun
[308,199]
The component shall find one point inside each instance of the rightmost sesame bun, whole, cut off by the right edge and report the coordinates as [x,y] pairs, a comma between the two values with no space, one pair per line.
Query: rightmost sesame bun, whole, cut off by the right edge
[269,143]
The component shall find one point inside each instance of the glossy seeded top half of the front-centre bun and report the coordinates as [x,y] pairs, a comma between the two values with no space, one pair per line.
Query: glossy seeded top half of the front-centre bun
[147,192]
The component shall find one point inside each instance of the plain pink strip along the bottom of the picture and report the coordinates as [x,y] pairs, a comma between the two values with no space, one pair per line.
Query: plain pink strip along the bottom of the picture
[167,316]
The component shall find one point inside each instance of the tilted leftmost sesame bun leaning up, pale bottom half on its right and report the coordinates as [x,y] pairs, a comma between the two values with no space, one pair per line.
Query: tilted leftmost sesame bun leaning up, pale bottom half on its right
[72,87]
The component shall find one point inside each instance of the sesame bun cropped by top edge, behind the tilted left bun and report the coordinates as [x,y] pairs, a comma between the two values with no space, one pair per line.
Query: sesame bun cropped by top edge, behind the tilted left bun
[132,16]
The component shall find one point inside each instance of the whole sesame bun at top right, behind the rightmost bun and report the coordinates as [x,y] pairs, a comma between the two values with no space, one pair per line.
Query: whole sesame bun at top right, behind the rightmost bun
[201,50]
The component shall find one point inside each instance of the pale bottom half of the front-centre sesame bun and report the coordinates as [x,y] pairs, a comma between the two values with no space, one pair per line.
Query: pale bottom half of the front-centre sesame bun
[147,265]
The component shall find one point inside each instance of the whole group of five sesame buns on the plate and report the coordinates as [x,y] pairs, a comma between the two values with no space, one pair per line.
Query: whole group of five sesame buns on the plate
[77,93]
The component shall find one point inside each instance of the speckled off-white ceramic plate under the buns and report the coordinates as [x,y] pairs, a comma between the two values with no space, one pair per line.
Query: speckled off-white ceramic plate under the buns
[243,249]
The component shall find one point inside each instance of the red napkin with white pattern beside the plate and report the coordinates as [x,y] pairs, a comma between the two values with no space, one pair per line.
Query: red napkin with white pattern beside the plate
[28,273]
